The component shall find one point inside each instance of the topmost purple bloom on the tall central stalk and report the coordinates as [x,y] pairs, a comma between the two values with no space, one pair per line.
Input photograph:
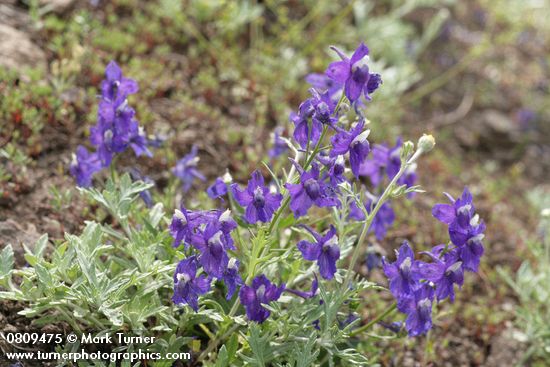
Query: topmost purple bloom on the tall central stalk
[354,73]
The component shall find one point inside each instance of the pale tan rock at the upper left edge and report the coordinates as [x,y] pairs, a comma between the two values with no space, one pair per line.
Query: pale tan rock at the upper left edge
[17,51]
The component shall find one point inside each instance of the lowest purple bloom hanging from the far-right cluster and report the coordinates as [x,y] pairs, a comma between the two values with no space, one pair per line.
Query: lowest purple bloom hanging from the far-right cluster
[418,308]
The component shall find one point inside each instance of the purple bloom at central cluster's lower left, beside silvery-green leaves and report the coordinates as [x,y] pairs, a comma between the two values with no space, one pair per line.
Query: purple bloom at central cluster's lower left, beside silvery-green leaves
[187,286]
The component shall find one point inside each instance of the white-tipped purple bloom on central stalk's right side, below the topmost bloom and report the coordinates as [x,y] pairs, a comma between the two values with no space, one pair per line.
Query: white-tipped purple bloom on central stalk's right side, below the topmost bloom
[355,142]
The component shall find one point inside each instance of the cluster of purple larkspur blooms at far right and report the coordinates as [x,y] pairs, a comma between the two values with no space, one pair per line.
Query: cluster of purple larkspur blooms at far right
[416,284]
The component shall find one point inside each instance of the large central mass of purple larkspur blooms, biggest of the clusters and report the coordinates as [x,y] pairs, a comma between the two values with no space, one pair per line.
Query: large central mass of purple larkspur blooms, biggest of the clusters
[316,184]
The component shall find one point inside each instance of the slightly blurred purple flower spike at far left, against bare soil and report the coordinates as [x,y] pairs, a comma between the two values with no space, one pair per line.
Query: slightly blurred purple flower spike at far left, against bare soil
[115,131]
